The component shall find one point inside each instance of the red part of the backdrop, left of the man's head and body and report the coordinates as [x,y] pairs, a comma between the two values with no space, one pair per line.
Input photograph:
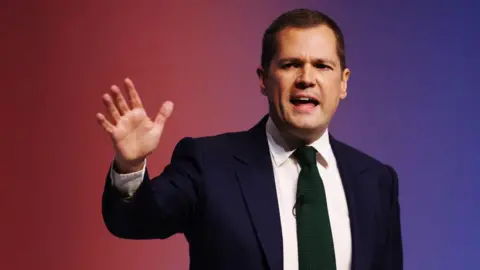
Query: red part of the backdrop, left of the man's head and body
[58,59]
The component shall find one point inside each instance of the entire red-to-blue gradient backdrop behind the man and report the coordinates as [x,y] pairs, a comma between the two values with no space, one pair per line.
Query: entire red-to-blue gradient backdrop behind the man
[412,103]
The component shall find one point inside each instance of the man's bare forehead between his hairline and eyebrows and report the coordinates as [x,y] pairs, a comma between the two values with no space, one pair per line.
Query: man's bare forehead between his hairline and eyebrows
[314,42]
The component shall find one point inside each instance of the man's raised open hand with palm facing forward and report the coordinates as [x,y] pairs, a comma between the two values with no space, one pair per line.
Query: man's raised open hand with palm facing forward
[133,133]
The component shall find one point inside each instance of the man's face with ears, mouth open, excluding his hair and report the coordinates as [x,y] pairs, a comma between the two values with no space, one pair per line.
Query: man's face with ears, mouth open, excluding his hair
[304,83]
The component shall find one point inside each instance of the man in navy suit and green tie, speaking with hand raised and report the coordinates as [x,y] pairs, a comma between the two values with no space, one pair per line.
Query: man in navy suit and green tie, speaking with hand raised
[282,195]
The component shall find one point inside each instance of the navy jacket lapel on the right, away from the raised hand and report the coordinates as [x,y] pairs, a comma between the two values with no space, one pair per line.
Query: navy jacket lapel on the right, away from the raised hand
[352,171]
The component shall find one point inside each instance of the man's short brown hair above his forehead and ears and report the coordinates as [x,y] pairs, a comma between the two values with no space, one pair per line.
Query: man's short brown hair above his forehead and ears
[299,18]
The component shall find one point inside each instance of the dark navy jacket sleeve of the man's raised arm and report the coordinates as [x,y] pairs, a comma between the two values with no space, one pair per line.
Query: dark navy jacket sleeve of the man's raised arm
[161,206]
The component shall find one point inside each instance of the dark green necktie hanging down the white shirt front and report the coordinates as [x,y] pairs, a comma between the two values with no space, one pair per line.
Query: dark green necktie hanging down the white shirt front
[314,236]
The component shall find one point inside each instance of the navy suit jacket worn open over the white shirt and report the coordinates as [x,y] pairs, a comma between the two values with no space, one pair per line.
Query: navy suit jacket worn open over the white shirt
[219,191]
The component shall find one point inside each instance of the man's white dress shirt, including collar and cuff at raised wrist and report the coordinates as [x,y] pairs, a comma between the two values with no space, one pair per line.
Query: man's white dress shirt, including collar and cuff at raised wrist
[286,172]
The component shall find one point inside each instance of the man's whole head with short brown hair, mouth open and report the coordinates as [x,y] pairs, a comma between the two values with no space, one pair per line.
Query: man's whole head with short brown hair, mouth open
[303,72]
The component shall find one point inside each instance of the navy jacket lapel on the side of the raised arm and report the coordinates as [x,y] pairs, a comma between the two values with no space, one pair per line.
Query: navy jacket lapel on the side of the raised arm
[257,183]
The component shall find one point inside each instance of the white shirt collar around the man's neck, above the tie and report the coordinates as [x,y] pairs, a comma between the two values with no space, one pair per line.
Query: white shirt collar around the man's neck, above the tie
[281,153]
